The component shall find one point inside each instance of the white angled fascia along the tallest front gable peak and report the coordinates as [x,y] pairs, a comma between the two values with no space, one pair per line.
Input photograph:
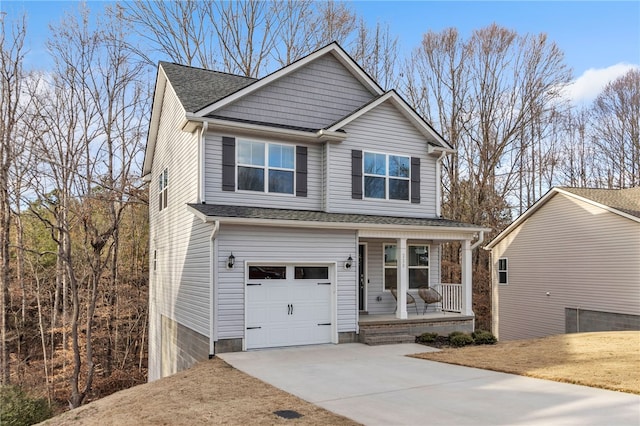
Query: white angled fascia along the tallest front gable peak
[332,48]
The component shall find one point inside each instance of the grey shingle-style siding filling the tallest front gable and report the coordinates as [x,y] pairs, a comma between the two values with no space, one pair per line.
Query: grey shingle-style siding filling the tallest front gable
[314,96]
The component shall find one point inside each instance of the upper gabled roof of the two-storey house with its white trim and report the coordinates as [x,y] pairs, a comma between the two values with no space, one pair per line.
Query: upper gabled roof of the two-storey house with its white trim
[201,92]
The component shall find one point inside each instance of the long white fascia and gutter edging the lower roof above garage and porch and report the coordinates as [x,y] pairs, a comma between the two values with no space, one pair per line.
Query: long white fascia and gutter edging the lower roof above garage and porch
[365,229]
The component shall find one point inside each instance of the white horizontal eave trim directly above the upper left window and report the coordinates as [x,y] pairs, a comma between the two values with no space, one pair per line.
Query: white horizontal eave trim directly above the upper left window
[191,123]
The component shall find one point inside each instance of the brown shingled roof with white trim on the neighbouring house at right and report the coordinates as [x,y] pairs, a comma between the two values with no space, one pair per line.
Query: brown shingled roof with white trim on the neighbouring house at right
[623,202]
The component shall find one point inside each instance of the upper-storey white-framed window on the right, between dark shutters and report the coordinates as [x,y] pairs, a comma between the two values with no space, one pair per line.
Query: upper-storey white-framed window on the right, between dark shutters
[386,176]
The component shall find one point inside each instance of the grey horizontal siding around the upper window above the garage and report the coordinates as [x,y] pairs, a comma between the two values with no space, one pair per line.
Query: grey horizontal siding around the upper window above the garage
[213,183]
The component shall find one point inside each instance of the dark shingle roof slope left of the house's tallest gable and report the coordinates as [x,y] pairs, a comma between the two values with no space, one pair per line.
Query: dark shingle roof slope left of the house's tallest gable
[196,87]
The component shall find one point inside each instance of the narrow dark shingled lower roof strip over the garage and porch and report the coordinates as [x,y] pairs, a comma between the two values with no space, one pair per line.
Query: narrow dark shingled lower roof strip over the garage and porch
[217,210]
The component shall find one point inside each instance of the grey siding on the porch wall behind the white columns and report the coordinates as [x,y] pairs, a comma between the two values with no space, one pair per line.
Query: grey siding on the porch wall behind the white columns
[375,273]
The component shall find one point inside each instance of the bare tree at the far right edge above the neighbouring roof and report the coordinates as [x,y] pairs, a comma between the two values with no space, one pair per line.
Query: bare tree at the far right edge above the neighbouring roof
[615,124]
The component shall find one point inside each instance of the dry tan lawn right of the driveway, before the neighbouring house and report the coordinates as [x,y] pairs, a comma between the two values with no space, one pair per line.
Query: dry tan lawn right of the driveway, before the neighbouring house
[608,360]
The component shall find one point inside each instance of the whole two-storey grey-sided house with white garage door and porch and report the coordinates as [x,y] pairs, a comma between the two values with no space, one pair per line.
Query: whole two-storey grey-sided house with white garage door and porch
[284,208]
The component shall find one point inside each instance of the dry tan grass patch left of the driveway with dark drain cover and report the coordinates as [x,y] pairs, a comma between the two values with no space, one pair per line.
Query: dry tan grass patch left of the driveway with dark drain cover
[212,392]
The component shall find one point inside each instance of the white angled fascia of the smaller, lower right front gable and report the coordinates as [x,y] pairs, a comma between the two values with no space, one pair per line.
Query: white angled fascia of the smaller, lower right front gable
[406,111]
